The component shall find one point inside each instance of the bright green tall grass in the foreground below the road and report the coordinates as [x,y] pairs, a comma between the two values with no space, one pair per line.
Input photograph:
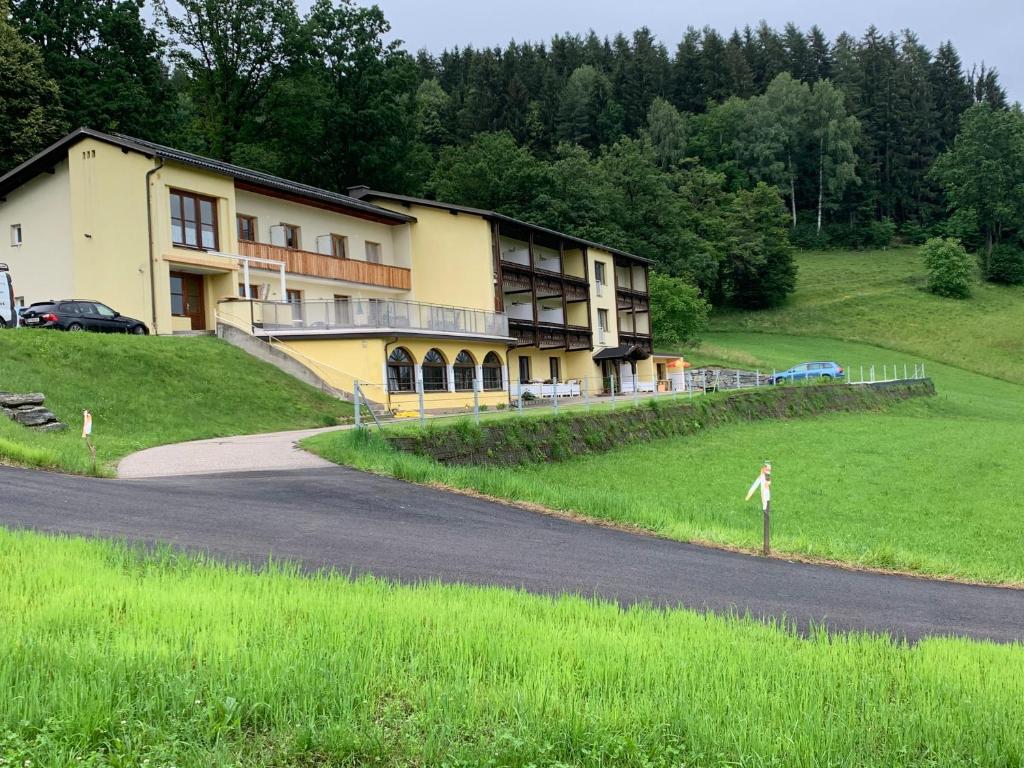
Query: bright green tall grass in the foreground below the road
[116,660]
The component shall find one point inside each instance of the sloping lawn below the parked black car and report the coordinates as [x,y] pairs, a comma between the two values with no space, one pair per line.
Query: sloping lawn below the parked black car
[146,392]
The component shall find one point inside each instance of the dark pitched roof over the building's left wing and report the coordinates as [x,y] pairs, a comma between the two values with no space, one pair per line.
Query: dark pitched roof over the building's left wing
[53,155]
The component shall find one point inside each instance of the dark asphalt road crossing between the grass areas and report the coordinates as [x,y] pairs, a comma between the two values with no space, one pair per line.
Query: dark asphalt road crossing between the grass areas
[359,523]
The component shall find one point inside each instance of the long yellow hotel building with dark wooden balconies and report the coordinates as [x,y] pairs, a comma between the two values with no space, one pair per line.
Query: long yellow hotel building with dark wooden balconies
[411,298]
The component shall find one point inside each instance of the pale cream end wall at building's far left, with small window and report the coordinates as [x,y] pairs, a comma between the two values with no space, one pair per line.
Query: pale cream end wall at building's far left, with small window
[44,267]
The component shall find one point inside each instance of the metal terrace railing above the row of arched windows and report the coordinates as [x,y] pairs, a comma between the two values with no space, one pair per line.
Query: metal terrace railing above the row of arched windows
[377,315]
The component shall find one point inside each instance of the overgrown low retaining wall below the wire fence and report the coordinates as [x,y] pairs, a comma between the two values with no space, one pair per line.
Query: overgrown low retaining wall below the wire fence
[522,441]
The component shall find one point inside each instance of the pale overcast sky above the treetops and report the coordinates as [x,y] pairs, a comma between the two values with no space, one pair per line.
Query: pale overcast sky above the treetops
[989,31]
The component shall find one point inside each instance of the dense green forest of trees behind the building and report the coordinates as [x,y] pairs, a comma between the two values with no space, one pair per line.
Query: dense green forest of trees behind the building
[712,156]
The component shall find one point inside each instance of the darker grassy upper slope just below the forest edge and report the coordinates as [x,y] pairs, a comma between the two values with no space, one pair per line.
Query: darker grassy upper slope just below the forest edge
[878,297]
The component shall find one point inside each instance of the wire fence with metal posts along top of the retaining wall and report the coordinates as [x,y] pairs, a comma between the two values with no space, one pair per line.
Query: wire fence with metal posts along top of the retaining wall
[439,397]
